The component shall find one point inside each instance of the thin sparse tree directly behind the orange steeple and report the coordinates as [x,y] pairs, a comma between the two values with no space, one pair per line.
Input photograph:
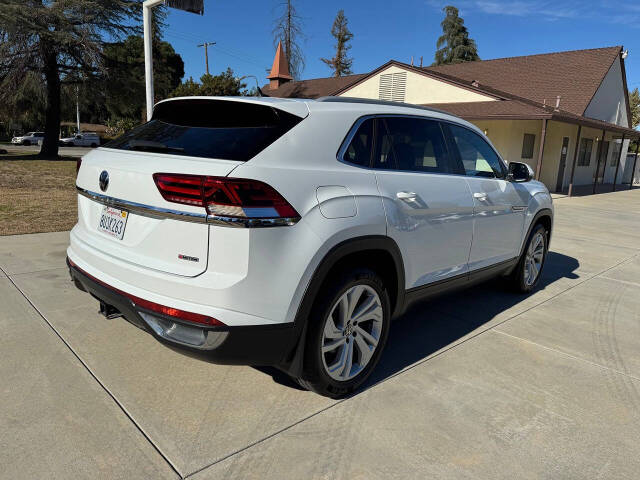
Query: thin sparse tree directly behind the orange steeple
[288,30]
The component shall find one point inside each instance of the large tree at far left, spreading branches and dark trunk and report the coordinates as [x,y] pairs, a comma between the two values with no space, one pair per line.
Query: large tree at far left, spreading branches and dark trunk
[61,42]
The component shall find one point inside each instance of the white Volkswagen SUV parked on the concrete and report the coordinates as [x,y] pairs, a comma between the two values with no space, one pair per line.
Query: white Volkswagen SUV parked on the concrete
[289,233]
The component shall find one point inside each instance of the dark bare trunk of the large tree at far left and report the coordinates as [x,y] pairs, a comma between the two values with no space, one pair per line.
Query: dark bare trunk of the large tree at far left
[52,116]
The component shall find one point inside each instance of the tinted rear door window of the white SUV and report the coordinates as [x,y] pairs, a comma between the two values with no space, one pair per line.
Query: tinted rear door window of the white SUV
[411,144]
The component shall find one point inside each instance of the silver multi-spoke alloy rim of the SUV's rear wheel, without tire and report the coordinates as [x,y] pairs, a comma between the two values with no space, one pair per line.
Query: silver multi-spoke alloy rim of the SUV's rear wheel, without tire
[351,332]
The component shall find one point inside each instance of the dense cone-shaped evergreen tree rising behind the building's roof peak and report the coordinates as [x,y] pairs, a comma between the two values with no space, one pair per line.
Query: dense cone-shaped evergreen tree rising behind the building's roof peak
[454,45]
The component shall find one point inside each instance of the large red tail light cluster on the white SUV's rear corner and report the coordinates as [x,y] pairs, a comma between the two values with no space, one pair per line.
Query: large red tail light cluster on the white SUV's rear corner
[224,196]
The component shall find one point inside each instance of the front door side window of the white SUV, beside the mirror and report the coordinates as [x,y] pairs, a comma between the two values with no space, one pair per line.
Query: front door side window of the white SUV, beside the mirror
[478,158]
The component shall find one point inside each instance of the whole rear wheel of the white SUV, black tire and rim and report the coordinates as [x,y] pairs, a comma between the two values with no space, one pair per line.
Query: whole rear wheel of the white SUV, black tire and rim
[348,330]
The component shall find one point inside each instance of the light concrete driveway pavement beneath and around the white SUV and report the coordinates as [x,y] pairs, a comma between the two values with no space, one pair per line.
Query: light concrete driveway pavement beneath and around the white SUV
[478,384]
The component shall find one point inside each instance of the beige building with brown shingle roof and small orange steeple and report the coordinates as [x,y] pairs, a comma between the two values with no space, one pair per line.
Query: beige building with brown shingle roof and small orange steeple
[566,114]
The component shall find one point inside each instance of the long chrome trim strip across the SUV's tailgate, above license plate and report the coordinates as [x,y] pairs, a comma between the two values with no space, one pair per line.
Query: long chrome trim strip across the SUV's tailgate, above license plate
[157,212]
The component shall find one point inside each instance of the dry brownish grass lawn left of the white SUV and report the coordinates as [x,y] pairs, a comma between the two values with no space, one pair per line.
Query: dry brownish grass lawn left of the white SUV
[37,196]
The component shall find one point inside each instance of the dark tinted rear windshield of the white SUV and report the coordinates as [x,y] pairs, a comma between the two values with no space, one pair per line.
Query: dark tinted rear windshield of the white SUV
[209,128]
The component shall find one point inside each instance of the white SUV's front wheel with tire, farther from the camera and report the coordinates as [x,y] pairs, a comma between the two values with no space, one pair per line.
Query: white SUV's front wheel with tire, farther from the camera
[526,275]
